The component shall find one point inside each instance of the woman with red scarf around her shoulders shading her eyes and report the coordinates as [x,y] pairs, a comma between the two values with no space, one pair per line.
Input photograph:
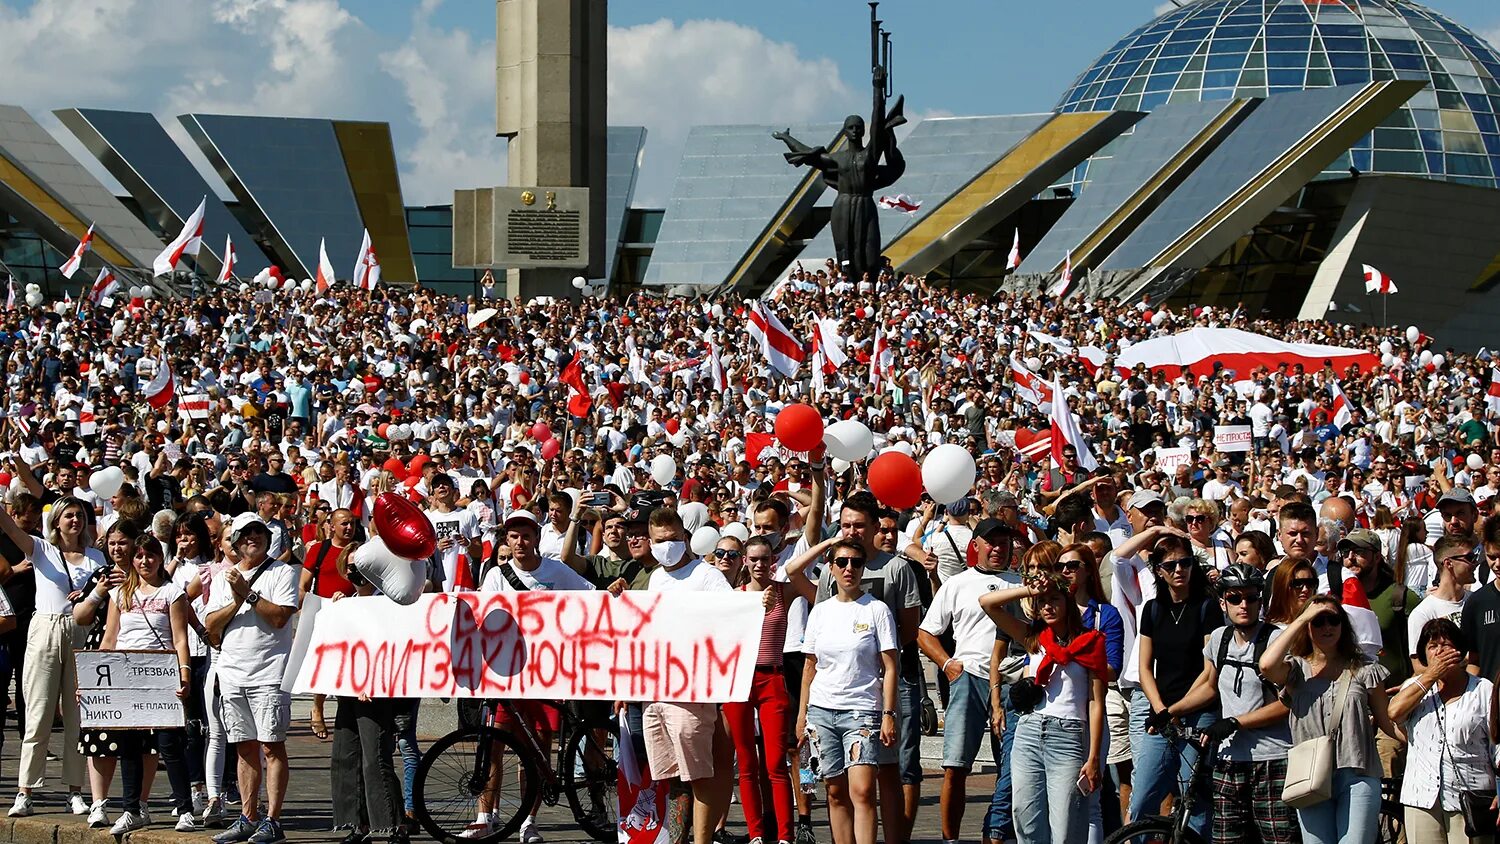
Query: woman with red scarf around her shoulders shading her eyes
[1060,735]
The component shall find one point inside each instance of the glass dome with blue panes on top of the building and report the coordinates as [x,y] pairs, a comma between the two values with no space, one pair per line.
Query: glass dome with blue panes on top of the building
[1210,50]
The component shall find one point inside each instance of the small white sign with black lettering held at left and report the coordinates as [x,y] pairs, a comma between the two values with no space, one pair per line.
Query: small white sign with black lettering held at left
[130,689]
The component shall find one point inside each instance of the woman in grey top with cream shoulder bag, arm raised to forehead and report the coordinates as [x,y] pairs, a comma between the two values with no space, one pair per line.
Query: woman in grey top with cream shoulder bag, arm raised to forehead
[1318,660]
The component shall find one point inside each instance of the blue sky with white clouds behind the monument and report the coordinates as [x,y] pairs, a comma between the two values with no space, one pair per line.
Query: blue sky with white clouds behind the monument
[427,67]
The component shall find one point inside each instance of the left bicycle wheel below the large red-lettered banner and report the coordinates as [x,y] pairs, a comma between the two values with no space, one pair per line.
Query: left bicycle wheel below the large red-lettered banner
[467,767]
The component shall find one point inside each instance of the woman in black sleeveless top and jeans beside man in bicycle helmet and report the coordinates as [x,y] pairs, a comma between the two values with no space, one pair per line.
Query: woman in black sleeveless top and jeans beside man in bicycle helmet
[1174,627]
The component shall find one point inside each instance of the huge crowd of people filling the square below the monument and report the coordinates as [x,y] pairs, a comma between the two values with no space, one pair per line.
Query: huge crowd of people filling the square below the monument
[1099,627]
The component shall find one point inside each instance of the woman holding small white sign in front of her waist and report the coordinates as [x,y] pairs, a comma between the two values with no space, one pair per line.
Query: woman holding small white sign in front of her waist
[149,612]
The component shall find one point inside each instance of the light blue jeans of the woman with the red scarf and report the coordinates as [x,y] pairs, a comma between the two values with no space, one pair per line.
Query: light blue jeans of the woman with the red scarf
[1046,762]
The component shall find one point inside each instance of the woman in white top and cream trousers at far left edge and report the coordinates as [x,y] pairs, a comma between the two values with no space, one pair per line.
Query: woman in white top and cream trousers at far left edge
[64,563]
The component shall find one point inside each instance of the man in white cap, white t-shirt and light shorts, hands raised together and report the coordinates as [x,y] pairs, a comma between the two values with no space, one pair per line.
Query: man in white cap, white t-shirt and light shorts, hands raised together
[248,617]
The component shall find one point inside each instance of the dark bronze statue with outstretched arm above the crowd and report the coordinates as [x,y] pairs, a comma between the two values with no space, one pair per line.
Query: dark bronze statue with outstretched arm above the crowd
[856,170]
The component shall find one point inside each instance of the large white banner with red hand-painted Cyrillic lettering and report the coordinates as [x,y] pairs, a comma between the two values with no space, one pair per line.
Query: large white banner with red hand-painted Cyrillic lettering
[673,647]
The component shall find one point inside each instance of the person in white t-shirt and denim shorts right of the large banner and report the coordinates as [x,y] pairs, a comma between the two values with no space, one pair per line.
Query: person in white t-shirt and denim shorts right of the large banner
[850,693]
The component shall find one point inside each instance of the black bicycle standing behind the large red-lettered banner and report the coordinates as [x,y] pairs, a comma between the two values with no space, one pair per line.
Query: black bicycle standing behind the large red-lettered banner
[509,773]
